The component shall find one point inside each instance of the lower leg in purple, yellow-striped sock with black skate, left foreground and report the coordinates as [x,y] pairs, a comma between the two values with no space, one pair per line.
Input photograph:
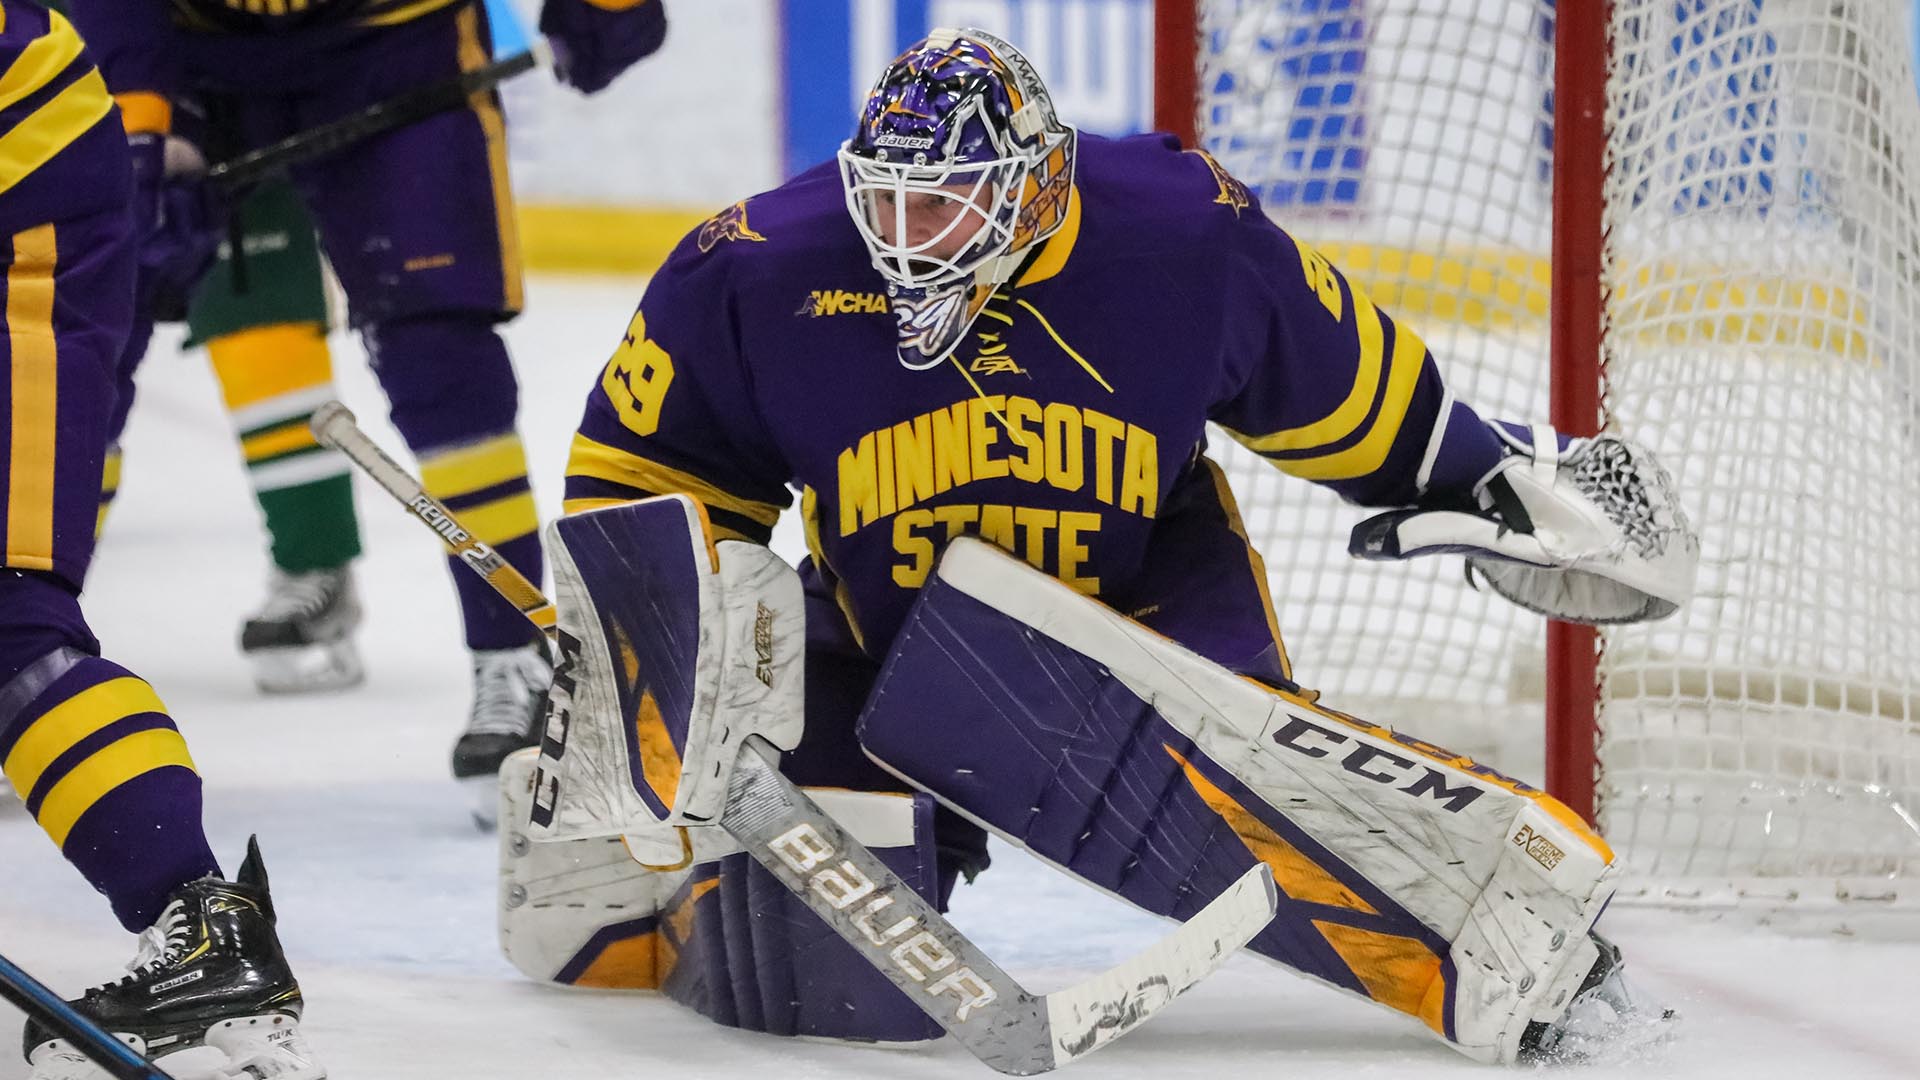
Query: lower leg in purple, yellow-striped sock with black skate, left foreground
[108,777]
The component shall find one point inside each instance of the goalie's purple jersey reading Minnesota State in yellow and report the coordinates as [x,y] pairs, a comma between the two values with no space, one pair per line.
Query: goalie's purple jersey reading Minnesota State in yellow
[763,356]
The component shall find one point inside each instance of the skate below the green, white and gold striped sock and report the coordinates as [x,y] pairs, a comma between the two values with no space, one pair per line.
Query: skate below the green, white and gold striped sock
[302,637]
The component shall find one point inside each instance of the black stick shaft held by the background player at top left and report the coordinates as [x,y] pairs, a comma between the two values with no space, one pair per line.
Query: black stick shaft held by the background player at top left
[377,118]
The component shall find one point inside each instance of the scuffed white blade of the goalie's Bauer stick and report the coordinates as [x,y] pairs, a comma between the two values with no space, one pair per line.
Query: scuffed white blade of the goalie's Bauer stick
[1093,1014]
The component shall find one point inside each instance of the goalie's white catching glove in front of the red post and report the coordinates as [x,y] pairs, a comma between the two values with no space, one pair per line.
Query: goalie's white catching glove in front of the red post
[1591,531]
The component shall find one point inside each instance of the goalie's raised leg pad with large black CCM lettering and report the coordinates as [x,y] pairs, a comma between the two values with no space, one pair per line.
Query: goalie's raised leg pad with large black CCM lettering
[1412,877]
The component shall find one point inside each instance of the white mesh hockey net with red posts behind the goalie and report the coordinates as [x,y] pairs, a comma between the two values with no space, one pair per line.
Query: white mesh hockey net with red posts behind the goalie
[1742,301]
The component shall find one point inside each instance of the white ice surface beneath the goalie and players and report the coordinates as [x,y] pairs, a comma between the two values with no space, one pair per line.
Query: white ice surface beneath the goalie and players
[387,895]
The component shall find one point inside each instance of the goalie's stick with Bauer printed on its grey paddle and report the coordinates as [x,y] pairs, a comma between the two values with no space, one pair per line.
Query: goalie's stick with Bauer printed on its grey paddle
[894,927]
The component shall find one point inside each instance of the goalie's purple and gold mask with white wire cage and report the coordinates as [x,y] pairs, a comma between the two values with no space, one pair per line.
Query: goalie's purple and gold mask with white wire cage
[957,170]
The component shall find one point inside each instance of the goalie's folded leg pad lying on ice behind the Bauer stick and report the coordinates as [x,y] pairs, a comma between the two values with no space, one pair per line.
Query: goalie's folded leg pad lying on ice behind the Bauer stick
[721,937]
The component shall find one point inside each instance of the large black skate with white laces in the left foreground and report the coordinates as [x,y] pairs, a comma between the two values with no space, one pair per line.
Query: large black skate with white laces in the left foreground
[210,975]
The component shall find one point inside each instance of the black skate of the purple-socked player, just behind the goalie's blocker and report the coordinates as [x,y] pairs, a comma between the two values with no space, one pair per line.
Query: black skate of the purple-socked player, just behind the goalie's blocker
[510,708]
